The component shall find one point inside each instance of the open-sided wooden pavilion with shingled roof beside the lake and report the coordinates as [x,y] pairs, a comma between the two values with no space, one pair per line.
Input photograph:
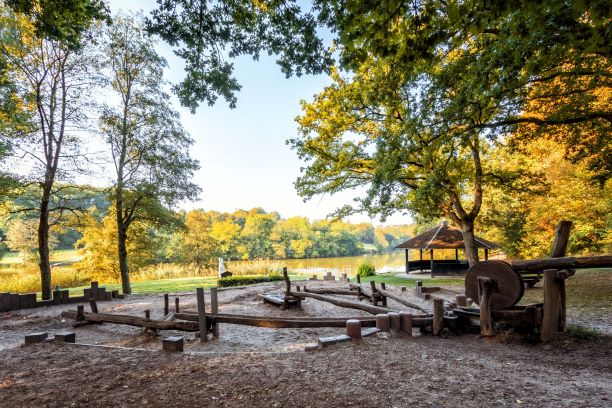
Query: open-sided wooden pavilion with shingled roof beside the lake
[441,237]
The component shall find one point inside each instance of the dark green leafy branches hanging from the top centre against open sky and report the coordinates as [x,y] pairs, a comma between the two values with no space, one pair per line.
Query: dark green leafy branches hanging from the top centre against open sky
[207,32]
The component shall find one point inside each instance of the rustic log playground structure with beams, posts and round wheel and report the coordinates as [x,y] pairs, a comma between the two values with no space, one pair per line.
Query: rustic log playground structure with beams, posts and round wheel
[496,286]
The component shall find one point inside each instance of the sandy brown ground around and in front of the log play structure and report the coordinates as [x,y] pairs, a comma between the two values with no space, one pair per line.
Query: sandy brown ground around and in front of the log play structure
[259,367]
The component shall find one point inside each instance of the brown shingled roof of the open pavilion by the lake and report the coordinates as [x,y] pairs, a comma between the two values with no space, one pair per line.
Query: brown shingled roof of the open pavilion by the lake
[443,237]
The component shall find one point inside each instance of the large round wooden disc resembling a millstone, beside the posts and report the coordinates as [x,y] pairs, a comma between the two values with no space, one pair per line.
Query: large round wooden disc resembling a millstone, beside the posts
[509,282]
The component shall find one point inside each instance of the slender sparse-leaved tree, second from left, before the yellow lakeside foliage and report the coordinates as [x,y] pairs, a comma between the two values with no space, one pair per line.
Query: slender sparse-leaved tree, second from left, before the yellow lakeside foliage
[147,142]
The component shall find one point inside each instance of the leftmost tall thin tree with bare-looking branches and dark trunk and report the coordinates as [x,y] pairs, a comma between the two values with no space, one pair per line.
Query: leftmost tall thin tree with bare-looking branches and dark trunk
[53,81]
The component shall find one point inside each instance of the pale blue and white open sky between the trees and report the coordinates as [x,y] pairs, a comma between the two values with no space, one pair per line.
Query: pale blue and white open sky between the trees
[244,159]
